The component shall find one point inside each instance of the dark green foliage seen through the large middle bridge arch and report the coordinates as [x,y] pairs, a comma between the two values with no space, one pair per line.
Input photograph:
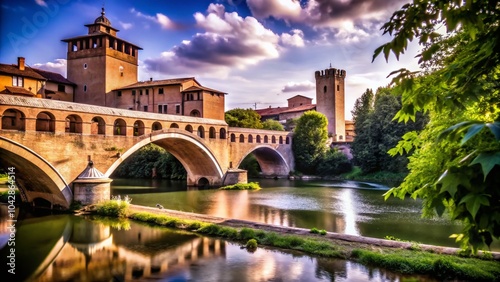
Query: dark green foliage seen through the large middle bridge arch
[142,163]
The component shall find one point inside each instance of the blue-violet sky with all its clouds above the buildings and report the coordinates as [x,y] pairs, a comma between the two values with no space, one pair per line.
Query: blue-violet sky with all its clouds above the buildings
[259,52]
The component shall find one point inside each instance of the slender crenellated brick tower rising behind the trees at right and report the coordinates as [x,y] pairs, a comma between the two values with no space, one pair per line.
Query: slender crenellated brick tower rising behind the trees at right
[330,93]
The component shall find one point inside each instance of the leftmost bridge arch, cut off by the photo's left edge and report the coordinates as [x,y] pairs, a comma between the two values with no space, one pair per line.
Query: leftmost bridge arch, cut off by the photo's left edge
[35,177]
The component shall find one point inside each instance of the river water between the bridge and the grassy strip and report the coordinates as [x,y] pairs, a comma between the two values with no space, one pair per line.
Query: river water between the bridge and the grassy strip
[348,207]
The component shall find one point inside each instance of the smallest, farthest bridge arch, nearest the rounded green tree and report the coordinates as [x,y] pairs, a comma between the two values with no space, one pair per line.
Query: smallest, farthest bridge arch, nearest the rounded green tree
[270,160]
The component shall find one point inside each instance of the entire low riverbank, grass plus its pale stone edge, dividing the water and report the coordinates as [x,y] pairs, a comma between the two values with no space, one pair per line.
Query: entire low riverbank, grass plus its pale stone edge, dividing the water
[441,263]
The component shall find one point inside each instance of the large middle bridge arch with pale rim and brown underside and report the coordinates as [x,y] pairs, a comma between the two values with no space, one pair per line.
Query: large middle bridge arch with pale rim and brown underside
[196,157]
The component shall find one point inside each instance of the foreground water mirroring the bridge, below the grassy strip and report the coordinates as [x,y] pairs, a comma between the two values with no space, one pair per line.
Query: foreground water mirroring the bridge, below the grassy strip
[97,249]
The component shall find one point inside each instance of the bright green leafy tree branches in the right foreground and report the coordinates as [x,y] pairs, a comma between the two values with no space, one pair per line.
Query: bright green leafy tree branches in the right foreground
[456,159]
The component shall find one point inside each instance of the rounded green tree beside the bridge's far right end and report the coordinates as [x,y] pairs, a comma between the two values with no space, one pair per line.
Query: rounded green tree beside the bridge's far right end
[309,141]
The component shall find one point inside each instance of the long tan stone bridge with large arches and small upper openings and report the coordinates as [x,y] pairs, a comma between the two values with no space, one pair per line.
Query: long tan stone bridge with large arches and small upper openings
[48,144]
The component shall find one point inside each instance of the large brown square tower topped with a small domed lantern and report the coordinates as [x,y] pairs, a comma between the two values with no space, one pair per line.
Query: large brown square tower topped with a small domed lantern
[100,62]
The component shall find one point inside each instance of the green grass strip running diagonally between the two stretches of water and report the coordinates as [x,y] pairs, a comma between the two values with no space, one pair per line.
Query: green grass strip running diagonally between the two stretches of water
[443,267]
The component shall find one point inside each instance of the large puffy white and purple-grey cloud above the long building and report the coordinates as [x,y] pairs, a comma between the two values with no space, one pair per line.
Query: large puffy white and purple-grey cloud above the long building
[228,41]
